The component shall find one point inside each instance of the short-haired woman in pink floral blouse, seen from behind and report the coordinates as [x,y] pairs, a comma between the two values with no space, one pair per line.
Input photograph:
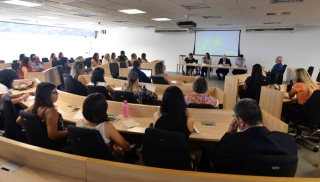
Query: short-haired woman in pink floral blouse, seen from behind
[199,96]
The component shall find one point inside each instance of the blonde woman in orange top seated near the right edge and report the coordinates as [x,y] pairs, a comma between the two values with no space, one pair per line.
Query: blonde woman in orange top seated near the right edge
[303,88]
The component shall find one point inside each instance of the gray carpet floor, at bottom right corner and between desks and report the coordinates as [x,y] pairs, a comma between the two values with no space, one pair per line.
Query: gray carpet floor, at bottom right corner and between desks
[308,160]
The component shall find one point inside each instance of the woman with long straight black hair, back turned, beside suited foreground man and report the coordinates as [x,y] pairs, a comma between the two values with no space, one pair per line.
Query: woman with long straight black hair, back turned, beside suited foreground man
[173,114]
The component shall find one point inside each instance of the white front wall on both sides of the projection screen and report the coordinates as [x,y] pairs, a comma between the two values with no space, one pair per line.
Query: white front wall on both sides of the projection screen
[299,49]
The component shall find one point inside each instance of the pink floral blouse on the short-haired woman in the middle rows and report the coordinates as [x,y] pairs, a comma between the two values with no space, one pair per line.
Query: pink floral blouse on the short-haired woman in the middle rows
[201,99]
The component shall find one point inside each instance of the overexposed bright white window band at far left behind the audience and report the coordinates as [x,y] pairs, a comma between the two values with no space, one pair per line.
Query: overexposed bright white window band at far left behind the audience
[13,44]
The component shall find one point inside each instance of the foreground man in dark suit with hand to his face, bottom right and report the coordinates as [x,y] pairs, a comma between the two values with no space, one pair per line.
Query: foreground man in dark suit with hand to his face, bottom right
[253,138]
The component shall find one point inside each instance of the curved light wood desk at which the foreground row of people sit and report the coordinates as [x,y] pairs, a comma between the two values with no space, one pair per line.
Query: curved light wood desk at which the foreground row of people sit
[144,113]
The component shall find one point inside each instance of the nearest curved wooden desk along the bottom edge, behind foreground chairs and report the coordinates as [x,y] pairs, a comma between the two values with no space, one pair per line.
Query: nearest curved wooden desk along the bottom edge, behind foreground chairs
[38,164]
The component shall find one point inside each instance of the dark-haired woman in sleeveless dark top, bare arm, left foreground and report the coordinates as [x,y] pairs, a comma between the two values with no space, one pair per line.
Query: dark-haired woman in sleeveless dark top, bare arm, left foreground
[46,94]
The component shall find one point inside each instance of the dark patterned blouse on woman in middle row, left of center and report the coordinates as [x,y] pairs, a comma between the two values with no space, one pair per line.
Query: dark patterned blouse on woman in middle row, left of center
[141,93]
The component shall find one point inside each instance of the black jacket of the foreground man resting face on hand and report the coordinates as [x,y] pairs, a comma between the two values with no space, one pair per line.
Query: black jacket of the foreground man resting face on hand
[233,149]
